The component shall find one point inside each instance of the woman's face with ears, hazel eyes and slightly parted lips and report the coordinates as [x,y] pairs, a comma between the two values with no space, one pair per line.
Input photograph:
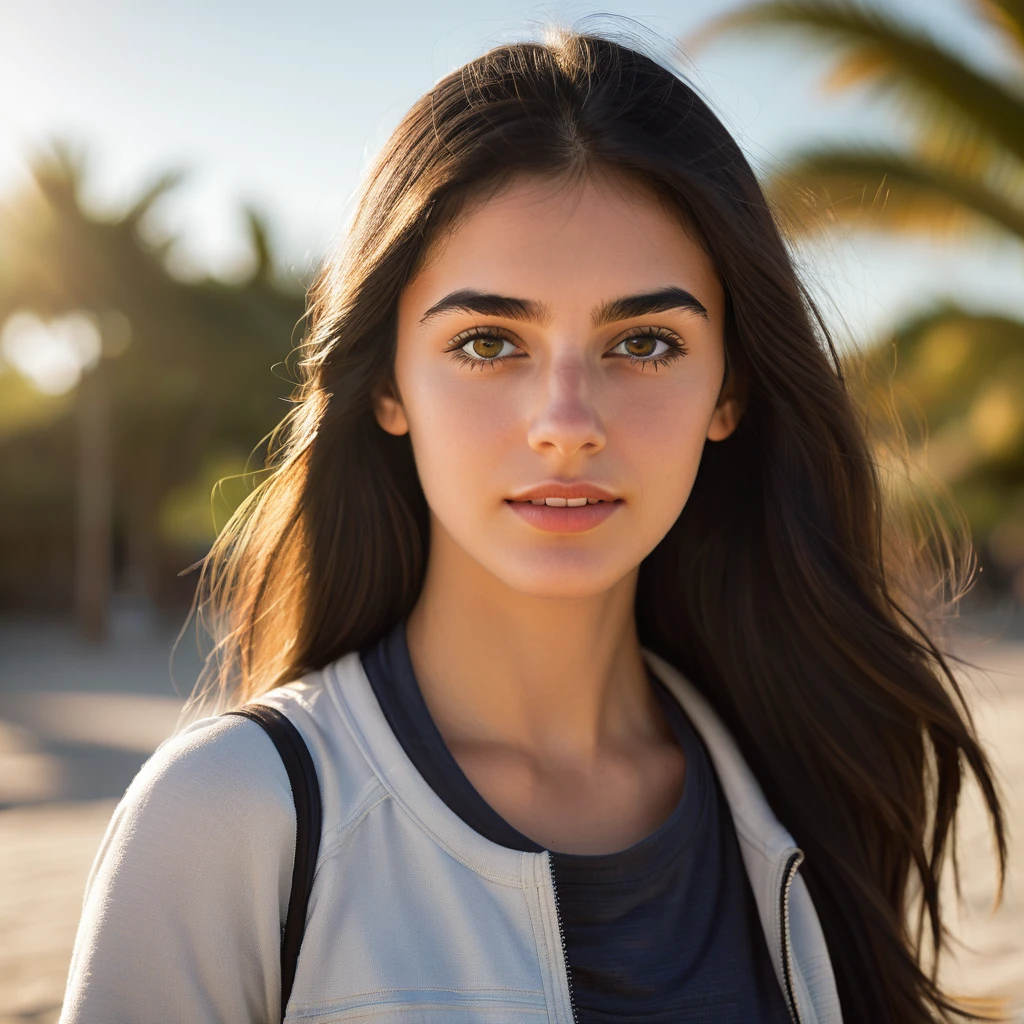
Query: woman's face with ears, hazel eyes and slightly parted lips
[560,367]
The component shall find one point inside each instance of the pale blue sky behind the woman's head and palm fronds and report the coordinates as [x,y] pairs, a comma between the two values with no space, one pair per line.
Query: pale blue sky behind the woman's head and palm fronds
[282,106]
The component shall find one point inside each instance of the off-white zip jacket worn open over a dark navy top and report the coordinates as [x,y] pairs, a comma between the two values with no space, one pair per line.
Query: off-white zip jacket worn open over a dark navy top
[414,918]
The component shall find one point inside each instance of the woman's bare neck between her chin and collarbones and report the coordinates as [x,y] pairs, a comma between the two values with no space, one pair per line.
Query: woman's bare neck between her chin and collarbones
[561,679]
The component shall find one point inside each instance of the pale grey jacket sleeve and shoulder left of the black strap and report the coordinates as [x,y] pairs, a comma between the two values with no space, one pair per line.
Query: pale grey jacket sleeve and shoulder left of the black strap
[191,884]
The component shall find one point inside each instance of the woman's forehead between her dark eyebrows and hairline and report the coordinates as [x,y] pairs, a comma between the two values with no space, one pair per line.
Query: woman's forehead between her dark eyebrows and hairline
[569,244]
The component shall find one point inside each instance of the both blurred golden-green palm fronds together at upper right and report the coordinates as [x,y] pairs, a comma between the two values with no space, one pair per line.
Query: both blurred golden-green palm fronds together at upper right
[966,165]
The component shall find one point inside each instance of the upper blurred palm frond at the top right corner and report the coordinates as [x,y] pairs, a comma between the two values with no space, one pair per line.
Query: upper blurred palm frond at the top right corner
[894,57]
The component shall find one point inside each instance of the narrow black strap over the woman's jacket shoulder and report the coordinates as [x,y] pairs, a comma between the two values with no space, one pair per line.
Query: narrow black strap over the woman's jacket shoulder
[309,816]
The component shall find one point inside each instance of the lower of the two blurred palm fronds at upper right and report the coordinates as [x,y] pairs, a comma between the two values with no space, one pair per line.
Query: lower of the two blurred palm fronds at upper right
[885,190]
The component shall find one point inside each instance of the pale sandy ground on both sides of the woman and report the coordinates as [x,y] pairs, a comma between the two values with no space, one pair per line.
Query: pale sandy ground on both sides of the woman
[76,724]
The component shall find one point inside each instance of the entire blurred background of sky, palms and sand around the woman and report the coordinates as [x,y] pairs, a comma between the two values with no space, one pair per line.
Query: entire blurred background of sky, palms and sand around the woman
[172,176]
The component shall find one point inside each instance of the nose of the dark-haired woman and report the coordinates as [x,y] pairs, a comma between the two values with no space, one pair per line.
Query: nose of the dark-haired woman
[568,421]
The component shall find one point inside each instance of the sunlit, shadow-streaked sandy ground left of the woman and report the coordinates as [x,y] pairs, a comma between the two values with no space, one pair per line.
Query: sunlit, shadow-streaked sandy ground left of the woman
[76,724]
